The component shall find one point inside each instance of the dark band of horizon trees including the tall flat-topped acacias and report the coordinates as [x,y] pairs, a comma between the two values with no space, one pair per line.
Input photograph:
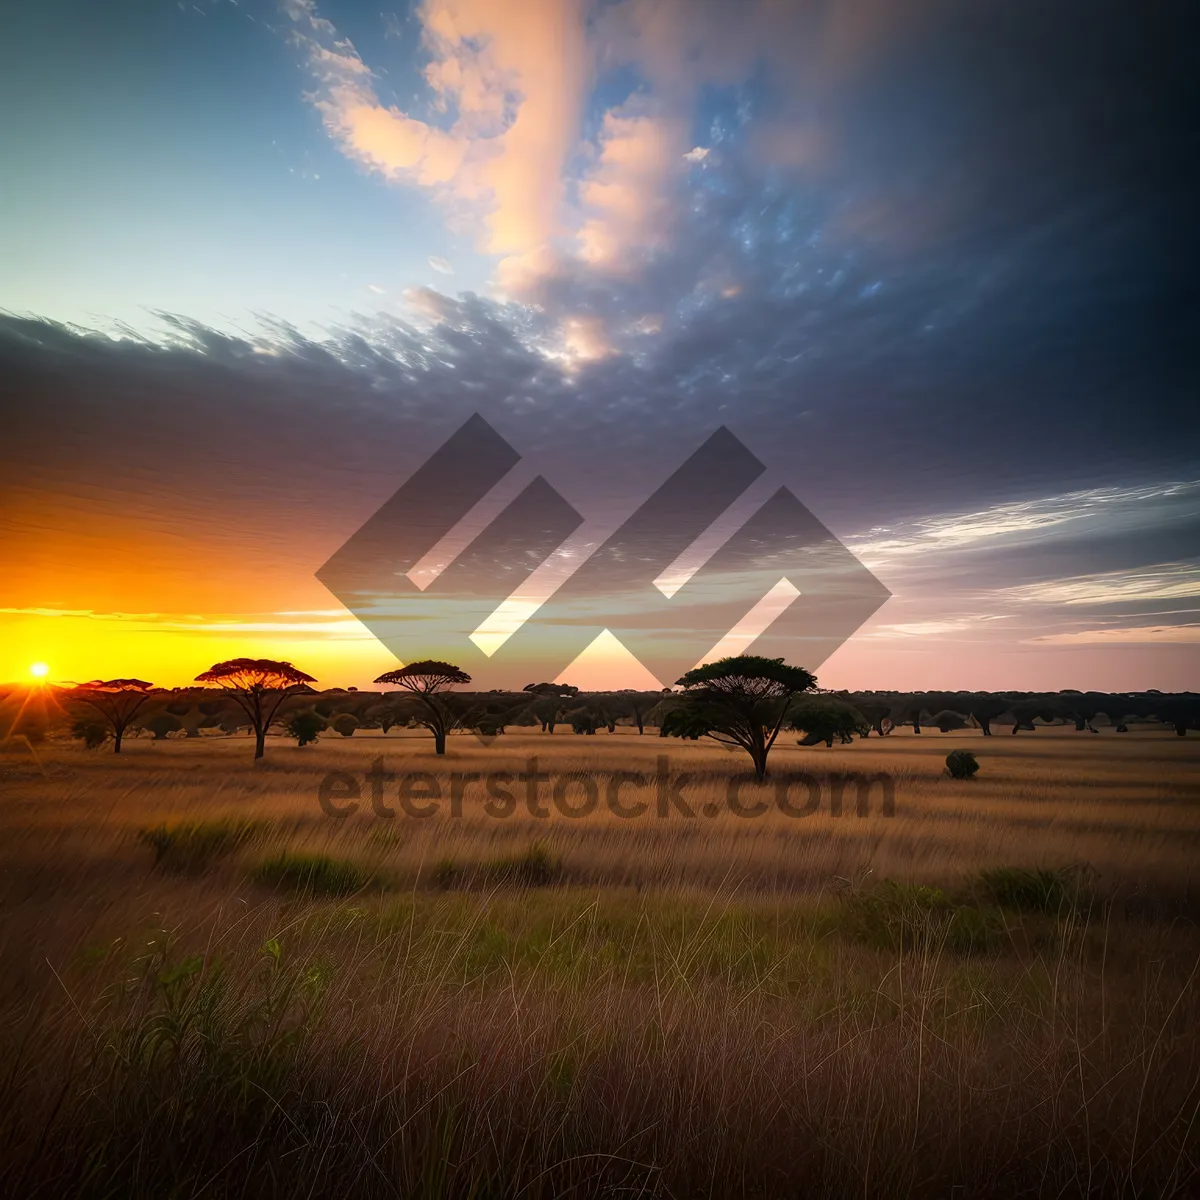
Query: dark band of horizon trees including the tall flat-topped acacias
[745,701]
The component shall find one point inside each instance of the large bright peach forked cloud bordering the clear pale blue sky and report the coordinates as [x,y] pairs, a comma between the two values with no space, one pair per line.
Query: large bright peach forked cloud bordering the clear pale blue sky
[507,80]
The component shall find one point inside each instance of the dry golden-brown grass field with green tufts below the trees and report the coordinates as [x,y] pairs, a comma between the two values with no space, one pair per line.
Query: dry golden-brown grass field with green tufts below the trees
[212,987]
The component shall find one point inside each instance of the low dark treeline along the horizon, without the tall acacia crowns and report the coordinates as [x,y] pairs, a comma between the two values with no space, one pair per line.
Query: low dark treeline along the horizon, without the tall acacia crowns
[121,709]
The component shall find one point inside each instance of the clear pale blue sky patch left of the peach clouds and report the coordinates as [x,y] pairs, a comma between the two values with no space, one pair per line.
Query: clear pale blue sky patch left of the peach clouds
[161,157]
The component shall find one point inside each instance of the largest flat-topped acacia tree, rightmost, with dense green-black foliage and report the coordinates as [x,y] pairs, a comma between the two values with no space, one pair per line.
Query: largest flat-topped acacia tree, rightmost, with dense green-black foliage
[740,701]
